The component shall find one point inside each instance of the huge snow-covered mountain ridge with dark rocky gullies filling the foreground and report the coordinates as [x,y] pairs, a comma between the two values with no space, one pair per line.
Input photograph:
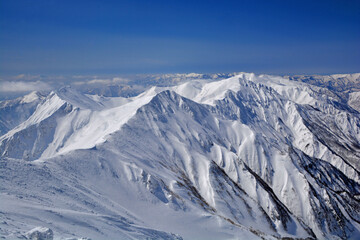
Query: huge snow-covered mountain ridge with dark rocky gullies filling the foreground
[246,157]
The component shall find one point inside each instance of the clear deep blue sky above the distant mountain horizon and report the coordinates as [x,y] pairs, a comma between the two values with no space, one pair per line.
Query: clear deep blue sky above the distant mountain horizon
[107,37]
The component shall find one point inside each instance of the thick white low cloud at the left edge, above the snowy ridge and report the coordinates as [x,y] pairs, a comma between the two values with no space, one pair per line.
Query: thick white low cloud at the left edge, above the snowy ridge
[23,86]
